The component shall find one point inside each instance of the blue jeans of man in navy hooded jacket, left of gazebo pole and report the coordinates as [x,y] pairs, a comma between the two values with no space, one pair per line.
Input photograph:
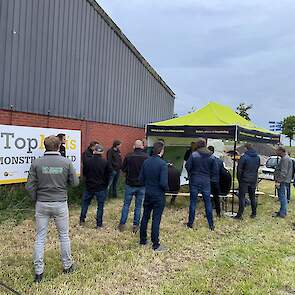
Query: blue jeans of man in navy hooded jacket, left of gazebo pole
[204,189]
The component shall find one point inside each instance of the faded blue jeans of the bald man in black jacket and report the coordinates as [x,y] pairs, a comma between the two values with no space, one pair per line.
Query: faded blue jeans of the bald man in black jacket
[131,191]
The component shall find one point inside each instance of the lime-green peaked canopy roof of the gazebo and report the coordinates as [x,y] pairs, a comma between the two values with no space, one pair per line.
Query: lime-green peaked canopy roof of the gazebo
[213,114]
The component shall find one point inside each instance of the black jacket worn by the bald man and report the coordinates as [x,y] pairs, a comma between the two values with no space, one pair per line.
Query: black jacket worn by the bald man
[132,165]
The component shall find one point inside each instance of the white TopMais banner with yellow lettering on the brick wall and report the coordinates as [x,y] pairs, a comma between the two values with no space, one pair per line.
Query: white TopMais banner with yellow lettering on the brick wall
[20,145]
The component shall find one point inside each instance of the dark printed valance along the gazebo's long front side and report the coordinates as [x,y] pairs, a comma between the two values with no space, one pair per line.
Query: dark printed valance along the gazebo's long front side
[215,132]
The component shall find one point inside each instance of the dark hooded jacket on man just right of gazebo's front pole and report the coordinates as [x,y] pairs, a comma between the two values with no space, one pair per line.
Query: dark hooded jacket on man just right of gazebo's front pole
[248,167]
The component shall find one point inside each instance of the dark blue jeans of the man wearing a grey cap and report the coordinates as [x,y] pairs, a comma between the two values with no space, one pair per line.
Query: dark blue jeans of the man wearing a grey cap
[87,197]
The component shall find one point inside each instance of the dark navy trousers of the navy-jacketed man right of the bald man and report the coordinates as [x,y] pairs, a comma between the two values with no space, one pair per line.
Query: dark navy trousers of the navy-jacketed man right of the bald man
[155,204]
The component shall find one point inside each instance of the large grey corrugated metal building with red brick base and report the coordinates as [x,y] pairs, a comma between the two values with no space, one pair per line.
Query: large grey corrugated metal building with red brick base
[65,63]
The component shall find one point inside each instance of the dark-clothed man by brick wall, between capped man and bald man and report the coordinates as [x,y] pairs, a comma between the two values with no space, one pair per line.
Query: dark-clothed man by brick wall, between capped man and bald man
[115,160]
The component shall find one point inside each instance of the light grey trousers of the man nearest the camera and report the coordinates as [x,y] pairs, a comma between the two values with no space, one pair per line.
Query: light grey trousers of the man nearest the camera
[60,213]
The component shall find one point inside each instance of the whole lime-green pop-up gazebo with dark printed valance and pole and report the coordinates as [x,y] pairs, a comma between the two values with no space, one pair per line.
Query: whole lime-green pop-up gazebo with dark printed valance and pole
[214,121]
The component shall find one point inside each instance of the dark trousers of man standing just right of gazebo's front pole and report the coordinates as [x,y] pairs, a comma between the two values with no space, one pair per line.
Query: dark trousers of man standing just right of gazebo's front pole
[249,188]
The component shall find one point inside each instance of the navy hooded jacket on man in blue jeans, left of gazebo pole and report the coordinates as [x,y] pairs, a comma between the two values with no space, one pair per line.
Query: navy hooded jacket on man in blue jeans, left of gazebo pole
[201,167]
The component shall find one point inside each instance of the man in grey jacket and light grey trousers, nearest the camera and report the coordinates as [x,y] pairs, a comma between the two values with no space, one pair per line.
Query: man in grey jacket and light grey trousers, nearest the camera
[48,180]
